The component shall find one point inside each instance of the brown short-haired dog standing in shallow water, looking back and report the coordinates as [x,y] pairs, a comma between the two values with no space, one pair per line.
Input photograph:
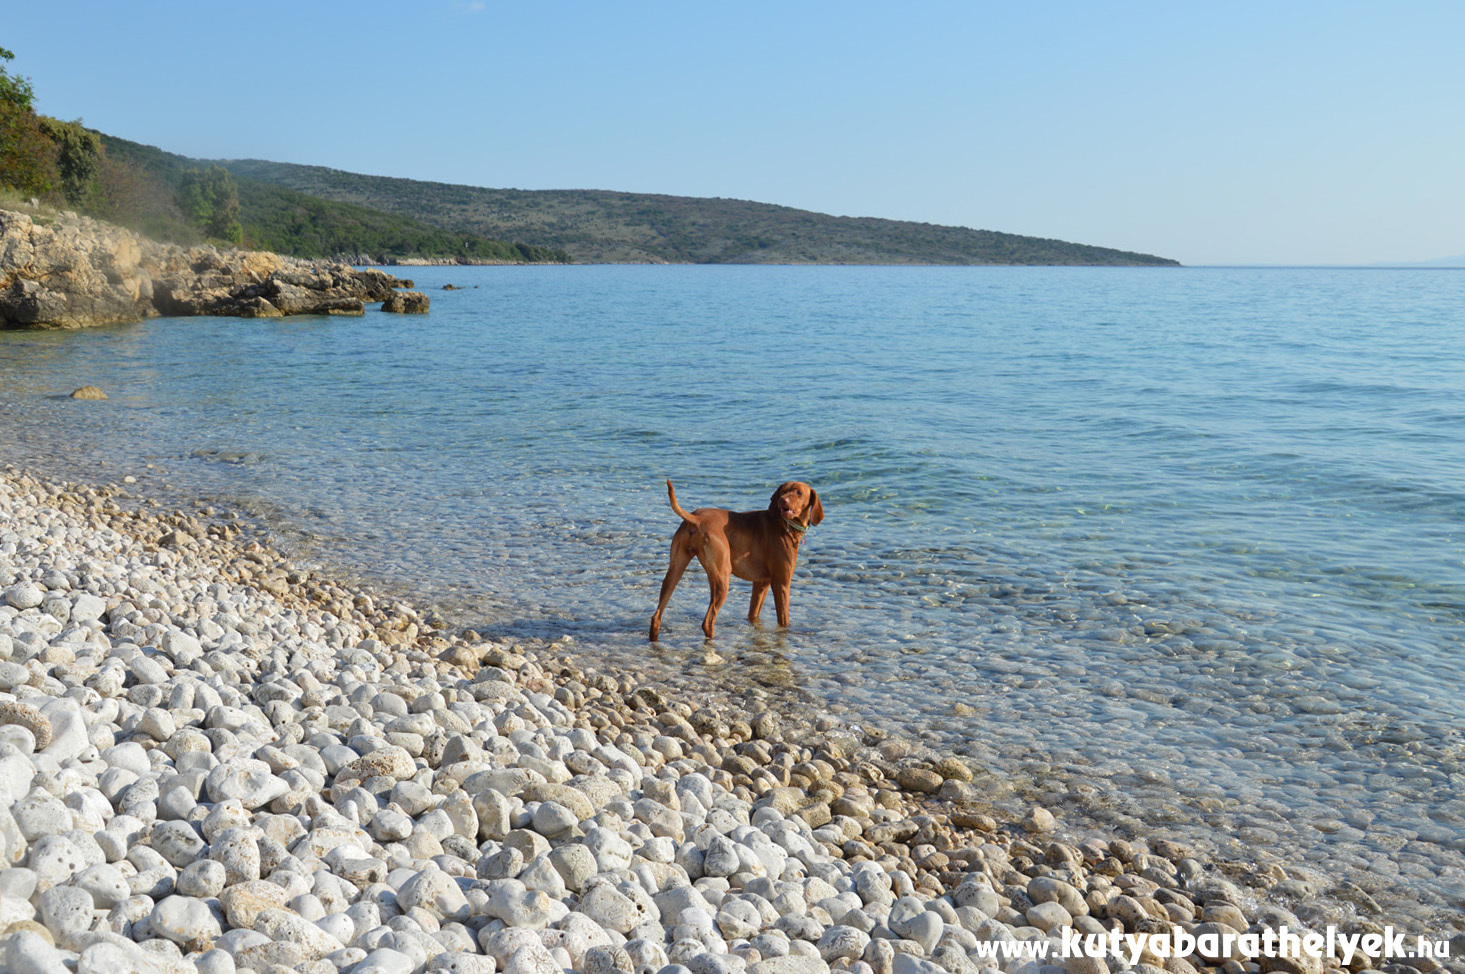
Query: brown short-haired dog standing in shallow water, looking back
[761,547]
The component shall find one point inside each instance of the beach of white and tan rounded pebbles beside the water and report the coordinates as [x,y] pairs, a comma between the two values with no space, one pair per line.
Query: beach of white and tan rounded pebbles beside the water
[216,761]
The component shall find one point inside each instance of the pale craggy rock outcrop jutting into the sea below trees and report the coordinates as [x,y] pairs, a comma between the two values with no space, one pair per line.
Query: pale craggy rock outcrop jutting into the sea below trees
[70,272]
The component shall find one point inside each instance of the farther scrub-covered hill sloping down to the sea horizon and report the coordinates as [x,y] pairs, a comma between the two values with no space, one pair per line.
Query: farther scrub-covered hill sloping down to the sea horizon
[601,226]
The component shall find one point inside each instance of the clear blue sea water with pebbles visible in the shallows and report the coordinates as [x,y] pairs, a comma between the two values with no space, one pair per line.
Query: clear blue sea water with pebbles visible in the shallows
[1173,551]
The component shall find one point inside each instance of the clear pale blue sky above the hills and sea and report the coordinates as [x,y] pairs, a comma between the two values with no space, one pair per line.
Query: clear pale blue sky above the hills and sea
[1233,133]
